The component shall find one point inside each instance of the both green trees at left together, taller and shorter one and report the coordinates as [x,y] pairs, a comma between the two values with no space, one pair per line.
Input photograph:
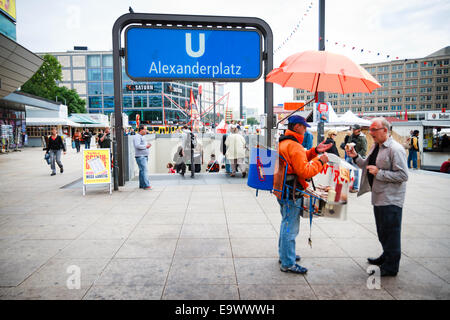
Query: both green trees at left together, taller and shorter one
[44,84]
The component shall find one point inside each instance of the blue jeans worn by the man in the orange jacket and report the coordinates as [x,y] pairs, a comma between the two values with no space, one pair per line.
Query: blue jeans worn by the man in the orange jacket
[290,224]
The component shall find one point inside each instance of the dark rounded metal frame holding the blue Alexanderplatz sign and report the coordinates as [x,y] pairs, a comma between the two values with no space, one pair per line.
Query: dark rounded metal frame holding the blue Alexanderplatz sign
[183,22]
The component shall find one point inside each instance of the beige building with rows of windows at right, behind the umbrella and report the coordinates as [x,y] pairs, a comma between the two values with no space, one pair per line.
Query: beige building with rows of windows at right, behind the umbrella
[416,86]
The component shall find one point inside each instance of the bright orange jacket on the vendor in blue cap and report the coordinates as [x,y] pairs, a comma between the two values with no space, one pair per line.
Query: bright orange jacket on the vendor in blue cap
[303,163]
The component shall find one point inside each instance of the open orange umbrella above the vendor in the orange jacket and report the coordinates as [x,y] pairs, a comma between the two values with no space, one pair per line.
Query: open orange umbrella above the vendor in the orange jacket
[323,71]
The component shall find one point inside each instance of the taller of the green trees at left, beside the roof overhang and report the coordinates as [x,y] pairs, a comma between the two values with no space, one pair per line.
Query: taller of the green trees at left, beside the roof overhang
[43,82]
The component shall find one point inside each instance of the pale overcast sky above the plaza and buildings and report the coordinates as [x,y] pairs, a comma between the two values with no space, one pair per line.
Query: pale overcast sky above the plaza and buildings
[399,28]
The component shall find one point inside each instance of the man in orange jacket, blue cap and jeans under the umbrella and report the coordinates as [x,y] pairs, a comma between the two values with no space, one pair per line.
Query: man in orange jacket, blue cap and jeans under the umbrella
[303,165]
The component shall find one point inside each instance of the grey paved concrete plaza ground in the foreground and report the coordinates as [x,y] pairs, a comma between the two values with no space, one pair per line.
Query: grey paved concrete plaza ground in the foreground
[207,238]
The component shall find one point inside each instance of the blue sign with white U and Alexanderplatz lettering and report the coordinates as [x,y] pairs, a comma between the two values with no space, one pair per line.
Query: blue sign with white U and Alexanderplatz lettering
[153,54]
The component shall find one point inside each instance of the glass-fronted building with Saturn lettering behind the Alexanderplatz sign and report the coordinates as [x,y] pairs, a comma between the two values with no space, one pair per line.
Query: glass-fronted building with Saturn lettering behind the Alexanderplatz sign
[90,73]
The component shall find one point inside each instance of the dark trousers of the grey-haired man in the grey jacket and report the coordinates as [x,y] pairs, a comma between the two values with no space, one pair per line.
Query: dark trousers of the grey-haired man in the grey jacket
[389,223]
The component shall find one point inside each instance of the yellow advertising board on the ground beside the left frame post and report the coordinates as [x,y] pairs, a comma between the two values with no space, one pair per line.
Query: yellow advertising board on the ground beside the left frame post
[96,166]
